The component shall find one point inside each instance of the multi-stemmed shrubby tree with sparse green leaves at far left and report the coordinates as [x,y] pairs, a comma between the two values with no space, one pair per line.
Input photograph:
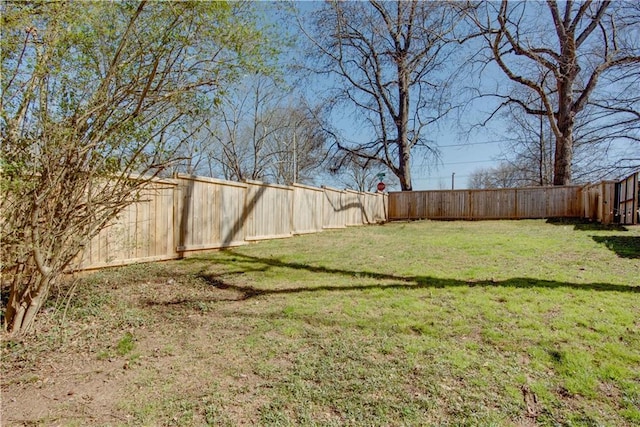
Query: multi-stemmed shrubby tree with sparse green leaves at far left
[93,92]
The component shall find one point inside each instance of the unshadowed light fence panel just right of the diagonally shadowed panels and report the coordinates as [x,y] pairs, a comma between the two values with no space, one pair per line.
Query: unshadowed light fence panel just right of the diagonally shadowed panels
[307,209]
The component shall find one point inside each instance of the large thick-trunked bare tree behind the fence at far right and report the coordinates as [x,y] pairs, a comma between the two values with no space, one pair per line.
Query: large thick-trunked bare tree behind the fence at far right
[568,55]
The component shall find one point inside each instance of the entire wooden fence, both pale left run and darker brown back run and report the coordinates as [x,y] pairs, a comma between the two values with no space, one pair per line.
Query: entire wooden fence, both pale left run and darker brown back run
[191,213]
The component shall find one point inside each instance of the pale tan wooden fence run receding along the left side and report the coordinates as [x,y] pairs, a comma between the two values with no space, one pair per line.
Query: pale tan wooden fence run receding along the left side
[191,213]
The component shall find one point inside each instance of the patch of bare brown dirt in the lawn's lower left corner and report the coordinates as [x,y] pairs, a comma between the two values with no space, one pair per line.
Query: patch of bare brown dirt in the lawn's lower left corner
[72,371]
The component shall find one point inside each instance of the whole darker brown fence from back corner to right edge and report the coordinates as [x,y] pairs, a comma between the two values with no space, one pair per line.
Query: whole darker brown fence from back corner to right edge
[605,202]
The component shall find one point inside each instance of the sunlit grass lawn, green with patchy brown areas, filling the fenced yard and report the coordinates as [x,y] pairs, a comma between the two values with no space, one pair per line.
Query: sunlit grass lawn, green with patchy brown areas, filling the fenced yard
[420,323]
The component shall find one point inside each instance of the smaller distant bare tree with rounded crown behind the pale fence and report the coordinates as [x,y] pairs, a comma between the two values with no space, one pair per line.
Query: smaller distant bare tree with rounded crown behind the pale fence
[262,133]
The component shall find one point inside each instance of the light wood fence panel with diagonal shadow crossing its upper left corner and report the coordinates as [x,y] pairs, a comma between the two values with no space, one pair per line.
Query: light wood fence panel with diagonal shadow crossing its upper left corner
[268,211]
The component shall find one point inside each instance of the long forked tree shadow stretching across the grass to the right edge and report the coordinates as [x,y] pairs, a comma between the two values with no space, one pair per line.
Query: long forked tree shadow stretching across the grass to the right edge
[250,263]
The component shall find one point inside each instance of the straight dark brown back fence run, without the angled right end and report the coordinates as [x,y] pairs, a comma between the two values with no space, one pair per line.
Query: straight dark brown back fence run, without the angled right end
[512,203]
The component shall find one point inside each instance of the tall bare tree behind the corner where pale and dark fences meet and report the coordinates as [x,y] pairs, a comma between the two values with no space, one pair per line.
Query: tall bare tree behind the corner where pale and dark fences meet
[386,59]
